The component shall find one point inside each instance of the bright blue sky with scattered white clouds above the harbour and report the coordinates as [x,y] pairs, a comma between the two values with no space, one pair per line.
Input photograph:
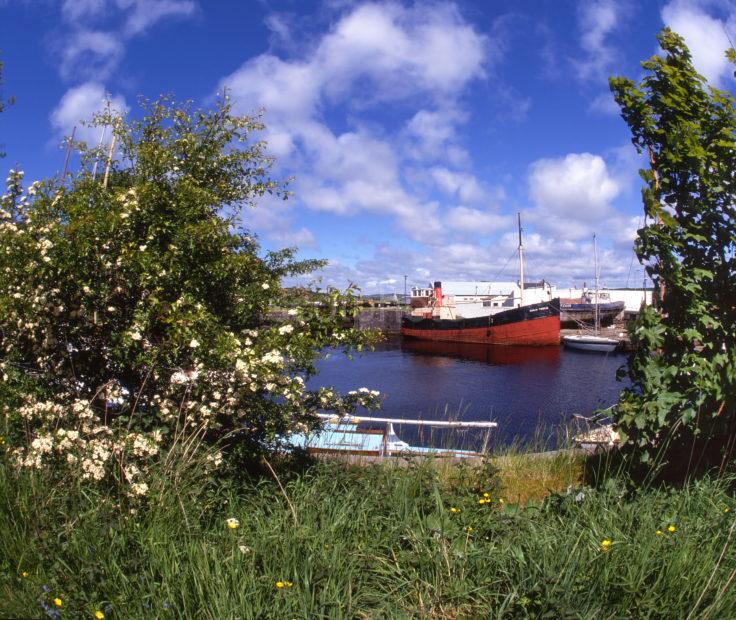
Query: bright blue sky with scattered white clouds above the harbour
[414,131]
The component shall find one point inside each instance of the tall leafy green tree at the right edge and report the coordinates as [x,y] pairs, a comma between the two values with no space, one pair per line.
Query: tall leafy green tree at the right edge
[683,368]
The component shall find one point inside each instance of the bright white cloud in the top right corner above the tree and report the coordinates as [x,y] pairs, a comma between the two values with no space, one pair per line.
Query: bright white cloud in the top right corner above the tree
[704,35]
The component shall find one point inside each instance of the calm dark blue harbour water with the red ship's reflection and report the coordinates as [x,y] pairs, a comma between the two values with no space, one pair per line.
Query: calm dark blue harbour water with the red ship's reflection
[518,387]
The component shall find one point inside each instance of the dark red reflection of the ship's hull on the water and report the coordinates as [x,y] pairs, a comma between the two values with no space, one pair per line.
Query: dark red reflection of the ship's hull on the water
[487,354]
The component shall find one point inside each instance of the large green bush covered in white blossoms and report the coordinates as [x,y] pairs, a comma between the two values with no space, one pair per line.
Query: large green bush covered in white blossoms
[135,315]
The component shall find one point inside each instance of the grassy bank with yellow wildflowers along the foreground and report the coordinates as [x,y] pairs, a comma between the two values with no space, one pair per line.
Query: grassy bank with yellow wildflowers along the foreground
[381,541]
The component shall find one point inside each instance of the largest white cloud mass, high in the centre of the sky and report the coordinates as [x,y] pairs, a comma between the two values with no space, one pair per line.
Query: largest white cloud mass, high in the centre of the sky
[375,53]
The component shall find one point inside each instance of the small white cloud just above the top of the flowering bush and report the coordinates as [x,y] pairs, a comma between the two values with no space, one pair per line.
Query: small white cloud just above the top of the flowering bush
[81,104]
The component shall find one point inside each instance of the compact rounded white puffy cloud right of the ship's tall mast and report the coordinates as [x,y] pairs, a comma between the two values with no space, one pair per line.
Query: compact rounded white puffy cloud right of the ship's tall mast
[572,195]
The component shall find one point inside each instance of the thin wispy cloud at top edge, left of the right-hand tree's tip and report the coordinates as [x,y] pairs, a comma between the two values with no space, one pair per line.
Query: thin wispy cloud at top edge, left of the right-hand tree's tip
[597,20]
